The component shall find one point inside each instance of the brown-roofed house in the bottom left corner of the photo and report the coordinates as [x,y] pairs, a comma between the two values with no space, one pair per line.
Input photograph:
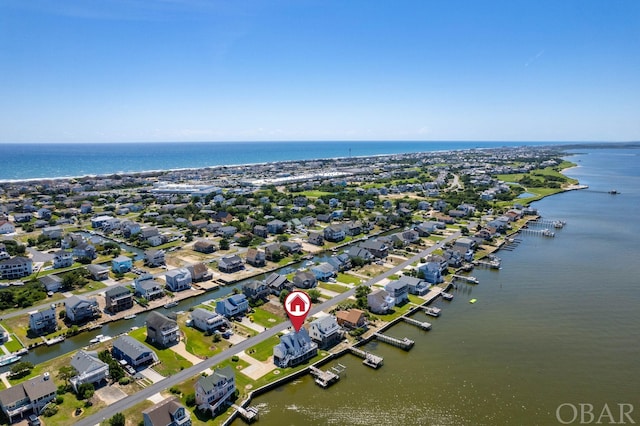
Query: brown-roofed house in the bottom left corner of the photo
[30,396]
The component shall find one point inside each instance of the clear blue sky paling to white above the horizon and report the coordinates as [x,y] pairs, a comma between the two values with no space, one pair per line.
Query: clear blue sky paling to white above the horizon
[208,70]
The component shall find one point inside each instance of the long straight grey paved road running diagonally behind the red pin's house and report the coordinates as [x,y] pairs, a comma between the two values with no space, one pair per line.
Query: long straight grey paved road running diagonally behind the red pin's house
[196,369]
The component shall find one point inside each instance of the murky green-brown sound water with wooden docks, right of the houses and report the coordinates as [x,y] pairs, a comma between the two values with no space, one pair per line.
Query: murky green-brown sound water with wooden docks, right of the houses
[558,324]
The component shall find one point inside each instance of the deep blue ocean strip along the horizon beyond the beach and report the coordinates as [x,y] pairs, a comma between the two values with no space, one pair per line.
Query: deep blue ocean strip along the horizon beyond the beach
[50,160]
